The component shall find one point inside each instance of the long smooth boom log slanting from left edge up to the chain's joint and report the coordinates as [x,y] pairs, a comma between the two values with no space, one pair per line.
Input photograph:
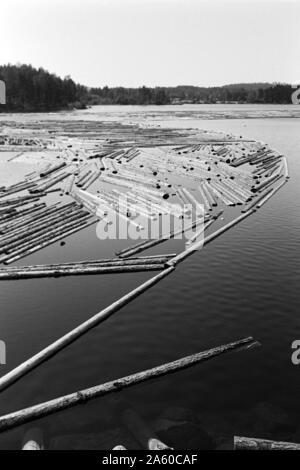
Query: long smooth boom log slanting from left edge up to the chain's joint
[74,334]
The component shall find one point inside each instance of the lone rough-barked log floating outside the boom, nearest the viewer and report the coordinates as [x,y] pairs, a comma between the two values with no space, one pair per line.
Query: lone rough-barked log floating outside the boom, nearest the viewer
[26,415]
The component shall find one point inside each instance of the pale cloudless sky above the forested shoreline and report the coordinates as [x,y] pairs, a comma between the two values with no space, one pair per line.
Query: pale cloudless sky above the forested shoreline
[155,42]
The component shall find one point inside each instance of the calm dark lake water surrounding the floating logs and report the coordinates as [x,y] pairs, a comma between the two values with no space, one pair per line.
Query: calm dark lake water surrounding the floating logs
[244,283]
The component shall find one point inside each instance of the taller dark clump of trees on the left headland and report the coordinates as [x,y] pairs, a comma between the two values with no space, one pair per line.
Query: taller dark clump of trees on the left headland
[30,89]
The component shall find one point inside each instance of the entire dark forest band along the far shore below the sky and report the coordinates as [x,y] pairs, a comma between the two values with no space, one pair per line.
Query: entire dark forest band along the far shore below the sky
[29,89]
